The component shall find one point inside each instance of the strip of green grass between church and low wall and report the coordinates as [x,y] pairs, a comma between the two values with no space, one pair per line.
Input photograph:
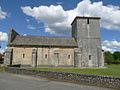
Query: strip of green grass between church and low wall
[111,70]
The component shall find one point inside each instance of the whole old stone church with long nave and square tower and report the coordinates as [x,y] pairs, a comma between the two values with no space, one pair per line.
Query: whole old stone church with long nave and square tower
[83,49]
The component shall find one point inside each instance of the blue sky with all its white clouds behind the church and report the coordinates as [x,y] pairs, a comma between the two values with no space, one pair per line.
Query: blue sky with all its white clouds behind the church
[53,18]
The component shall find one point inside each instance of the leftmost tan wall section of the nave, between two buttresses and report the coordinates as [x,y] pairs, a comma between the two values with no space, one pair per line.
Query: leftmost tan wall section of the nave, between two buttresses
[22,55]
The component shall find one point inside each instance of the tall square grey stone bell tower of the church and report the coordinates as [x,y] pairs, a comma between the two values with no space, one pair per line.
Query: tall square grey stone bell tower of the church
[86,31]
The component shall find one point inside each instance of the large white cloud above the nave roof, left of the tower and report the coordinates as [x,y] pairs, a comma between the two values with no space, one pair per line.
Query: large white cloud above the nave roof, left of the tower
[54,17]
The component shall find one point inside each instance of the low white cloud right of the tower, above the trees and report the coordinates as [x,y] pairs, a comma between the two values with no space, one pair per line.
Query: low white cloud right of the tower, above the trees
[111,45]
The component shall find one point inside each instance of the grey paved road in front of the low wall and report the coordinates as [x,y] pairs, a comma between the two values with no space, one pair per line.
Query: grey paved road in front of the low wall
[21,82]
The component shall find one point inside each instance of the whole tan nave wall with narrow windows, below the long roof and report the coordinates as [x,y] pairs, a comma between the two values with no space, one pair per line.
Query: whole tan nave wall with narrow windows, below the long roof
[45,56]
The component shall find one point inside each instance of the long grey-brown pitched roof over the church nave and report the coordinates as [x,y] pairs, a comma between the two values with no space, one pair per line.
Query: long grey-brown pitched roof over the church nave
[43,41]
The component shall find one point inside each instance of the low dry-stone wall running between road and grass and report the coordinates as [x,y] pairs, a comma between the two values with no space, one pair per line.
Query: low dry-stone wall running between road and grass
[103,81]
